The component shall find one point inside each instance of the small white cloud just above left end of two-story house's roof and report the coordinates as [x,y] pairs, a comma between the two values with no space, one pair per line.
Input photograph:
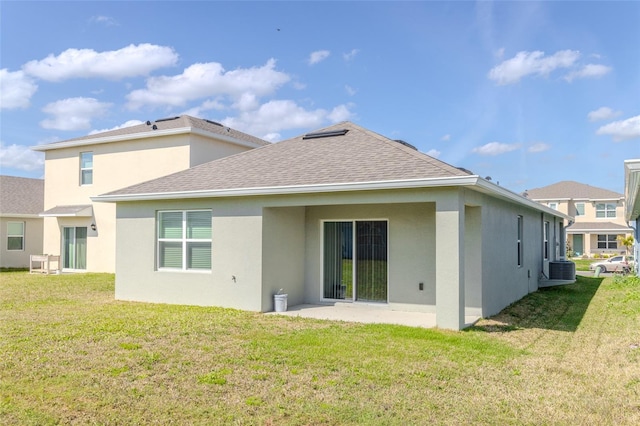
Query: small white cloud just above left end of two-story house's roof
[73,113]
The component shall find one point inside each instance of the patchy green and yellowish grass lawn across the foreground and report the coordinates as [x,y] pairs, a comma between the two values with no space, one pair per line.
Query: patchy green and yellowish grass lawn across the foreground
[70,354]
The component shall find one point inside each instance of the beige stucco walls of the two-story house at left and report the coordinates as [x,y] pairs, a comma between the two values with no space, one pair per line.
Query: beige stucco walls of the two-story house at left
[115,165]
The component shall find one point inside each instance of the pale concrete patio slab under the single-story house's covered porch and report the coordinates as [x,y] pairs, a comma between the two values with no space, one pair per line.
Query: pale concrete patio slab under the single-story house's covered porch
[366,313]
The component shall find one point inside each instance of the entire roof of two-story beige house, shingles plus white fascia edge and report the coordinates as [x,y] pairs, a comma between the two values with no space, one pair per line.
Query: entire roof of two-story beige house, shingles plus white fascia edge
[163,127]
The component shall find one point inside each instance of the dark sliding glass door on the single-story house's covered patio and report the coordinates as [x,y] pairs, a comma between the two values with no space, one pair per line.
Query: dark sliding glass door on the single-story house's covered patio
[355,260]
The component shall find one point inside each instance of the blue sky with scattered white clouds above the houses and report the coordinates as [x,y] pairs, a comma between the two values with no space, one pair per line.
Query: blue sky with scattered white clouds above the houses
[529,93]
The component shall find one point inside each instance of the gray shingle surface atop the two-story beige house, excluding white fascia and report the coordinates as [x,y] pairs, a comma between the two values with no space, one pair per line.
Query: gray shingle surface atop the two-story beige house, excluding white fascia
[183,121]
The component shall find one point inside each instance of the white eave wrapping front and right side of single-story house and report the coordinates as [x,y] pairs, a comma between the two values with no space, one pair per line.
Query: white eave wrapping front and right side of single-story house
[471,181]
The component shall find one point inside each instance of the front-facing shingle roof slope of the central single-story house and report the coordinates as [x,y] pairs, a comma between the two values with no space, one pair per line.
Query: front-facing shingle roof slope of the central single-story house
[358,156]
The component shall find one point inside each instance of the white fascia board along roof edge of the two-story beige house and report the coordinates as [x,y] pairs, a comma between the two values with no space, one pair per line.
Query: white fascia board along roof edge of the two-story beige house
[145,135]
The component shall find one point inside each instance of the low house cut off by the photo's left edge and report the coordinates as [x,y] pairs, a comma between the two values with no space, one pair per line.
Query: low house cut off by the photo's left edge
[21,200]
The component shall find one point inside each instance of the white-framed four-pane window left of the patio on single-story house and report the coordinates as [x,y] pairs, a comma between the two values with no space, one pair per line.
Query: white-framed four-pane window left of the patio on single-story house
[184,240]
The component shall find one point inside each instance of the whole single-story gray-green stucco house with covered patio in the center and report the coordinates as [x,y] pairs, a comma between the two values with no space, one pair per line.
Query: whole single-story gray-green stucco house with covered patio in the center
[338,215]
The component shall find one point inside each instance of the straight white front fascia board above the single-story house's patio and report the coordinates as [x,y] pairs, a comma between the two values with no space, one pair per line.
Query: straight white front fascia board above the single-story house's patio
[295,189]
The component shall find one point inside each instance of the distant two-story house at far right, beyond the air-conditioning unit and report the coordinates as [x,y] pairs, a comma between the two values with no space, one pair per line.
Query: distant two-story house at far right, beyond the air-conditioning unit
[599,216]
